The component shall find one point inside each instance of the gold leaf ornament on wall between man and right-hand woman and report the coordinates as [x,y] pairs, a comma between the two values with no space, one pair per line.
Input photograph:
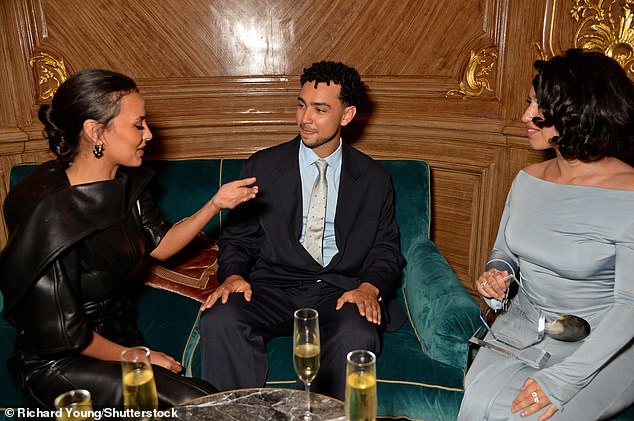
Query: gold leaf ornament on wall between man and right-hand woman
[481,65]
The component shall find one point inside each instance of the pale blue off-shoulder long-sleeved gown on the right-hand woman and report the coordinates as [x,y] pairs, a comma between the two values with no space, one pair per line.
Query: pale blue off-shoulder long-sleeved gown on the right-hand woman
[574,246]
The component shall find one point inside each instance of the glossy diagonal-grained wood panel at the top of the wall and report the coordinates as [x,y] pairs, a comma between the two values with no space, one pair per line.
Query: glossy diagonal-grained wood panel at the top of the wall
[234,38]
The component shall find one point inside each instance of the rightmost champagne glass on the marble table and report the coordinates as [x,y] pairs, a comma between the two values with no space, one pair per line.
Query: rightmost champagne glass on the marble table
[360,400]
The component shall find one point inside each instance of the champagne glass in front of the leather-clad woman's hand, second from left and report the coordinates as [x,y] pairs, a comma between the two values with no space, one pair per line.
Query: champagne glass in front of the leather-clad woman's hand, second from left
[139,388]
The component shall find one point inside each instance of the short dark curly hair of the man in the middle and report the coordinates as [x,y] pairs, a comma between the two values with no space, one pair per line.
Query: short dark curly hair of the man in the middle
[352,87]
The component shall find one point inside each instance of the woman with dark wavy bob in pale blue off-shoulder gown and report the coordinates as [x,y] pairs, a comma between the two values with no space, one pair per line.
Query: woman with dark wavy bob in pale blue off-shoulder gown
[567,232]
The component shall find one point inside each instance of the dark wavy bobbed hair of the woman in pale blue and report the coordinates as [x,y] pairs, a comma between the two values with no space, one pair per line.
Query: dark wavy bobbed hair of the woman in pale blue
[589,99]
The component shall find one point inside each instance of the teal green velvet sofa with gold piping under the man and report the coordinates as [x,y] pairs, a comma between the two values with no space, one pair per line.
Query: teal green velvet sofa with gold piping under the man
[421,368]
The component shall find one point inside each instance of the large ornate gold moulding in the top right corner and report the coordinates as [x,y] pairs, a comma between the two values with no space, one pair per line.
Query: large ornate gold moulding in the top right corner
[601,27]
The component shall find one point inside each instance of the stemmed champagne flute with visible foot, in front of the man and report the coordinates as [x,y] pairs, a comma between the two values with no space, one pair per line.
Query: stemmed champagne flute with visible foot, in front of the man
[306,350]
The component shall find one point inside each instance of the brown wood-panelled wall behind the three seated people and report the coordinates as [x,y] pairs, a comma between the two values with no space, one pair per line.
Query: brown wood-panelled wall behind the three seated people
[448,82]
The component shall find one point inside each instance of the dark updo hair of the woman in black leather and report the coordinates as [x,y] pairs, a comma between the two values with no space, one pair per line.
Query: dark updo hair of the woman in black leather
[90,94]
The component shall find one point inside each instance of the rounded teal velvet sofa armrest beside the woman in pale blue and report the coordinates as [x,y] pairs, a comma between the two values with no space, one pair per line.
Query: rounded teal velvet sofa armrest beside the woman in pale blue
[441,310]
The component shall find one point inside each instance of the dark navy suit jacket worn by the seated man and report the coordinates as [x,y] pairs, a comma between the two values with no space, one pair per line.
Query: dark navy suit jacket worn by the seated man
[260,240]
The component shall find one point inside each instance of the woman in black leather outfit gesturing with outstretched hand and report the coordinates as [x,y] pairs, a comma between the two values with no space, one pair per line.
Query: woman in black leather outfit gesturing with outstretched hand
[78,228]
